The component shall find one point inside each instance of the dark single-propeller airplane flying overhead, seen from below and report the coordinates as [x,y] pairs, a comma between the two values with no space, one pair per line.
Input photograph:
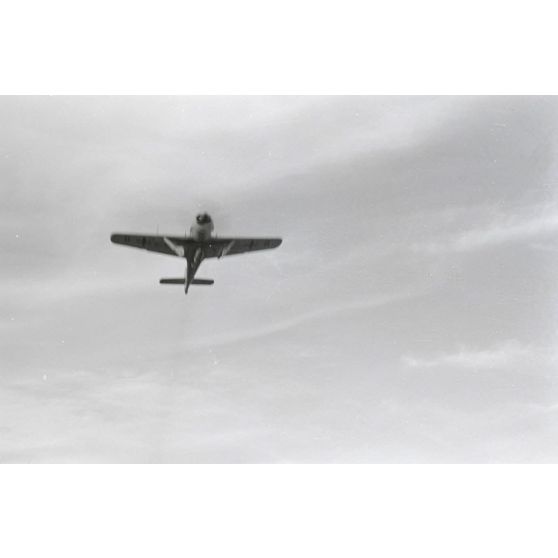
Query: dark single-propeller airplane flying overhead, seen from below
[195,247]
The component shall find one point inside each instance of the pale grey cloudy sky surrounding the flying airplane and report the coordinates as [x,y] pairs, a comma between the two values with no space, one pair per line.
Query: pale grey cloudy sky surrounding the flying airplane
[410,315]
